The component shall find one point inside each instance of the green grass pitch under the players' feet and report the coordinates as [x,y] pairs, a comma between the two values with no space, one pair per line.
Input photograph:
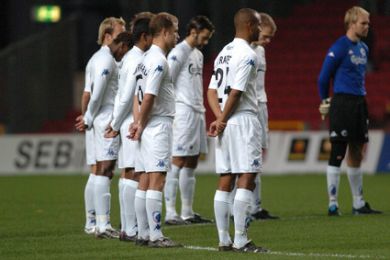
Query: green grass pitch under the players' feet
[42,217]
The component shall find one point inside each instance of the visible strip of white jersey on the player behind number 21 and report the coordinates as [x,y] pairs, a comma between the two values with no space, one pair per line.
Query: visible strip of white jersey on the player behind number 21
[261,69]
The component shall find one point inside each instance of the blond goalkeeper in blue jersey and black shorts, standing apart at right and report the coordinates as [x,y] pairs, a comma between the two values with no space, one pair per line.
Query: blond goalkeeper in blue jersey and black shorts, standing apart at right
[345,66]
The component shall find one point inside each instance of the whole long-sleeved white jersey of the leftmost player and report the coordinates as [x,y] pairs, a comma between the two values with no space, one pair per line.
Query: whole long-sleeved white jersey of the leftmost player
[104,83]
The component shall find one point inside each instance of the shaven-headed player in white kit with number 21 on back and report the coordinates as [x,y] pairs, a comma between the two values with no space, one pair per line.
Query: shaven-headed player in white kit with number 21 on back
[237,128]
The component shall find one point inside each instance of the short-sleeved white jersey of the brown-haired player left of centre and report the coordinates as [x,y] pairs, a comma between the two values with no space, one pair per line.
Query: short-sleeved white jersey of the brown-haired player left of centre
[155,79]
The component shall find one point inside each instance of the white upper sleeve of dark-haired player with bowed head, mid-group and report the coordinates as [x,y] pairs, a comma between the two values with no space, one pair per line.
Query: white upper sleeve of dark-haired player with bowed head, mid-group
[177,58]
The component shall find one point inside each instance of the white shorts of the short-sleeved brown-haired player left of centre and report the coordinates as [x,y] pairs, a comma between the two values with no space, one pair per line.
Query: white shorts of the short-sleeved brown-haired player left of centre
[154,148]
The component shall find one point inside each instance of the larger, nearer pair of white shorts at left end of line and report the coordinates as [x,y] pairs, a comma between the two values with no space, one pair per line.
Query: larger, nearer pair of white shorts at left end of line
[106,148]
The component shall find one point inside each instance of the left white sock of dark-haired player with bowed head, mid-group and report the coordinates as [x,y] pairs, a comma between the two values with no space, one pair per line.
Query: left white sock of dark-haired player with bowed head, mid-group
[170,191]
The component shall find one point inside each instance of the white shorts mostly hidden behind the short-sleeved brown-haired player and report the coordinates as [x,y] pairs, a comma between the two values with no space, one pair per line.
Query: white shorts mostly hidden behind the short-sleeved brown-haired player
[127,150]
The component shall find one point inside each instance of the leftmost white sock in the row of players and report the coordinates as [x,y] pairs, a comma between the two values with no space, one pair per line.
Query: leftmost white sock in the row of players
[90,213]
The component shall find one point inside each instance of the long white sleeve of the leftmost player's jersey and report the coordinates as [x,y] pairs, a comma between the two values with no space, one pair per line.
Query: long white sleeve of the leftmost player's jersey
[100,78]
